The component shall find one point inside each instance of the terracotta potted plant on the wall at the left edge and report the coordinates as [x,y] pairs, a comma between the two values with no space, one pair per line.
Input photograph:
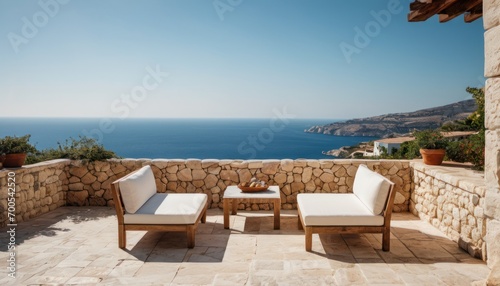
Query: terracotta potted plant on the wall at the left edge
[13,150]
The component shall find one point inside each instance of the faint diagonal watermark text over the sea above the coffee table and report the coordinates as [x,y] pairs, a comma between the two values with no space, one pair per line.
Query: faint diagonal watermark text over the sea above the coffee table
[255,143]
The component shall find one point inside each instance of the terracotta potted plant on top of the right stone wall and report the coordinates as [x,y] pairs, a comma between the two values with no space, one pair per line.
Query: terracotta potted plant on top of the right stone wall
[432,146]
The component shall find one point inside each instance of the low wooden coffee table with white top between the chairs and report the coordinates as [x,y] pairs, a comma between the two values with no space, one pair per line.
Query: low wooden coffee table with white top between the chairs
[232,195]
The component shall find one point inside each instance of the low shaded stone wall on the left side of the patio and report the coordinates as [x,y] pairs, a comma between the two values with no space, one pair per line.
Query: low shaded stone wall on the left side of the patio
[39,188]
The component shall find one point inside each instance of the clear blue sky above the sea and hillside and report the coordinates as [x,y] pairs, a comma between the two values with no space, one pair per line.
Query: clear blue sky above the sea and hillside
[230,58]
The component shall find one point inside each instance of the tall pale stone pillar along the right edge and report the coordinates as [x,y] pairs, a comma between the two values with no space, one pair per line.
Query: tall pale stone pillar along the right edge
[491,18]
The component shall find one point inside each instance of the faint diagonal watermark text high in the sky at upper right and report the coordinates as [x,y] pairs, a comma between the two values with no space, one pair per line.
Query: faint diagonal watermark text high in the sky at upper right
[363,36]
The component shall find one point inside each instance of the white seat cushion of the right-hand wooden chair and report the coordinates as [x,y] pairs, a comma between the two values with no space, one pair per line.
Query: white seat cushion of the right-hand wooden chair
[335,210]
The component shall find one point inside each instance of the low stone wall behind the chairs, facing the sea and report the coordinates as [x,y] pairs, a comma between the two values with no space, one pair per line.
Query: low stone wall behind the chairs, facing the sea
[89,184]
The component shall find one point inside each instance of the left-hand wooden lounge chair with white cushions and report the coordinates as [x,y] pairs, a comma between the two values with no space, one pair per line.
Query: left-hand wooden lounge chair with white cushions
[140,207]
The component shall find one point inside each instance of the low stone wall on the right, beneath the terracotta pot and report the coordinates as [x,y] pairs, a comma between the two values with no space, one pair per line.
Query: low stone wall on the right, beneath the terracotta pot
[452,200]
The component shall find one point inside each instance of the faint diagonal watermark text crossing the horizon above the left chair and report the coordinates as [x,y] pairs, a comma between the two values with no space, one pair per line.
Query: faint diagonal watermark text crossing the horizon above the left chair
[123,105]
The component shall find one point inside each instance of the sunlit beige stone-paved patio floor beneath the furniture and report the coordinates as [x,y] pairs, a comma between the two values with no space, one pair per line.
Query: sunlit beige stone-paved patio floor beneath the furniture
[78,245]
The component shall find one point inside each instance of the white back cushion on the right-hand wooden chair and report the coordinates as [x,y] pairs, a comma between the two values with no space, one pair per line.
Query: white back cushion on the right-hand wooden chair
[371,188]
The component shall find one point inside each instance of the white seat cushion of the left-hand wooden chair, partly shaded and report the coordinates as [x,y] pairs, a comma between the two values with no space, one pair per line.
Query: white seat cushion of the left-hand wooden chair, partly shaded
[163,208]
